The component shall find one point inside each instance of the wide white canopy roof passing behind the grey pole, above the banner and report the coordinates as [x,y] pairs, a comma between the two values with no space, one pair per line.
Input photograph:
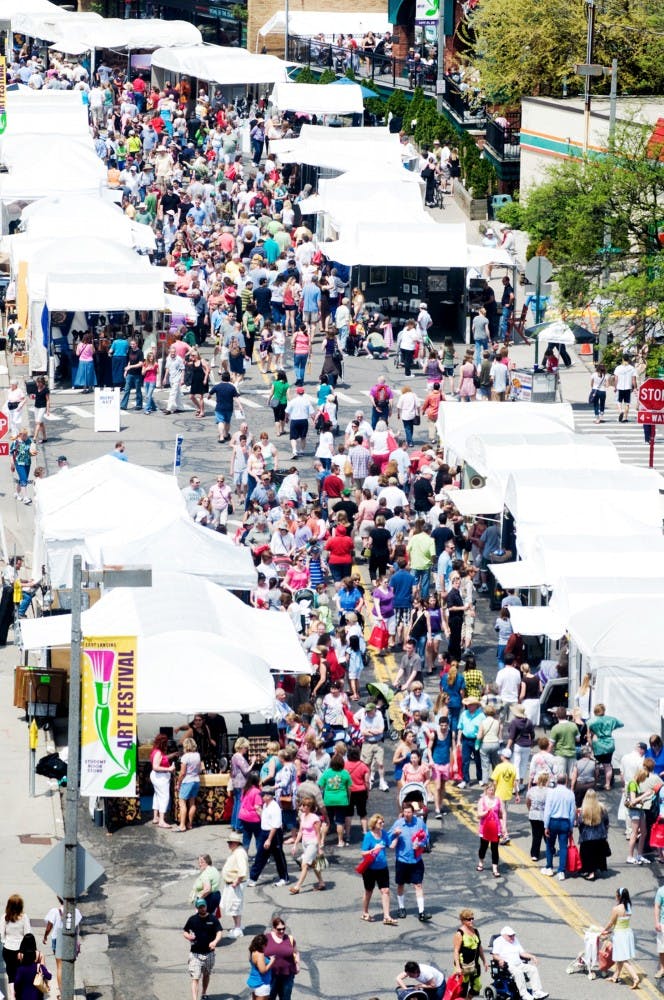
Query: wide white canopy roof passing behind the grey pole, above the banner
[180,599]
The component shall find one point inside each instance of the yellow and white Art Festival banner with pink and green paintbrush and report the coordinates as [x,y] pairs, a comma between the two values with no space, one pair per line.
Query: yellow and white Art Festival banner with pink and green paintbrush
[108,716]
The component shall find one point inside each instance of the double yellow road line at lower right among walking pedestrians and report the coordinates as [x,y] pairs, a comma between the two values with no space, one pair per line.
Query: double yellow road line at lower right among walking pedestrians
[548,889]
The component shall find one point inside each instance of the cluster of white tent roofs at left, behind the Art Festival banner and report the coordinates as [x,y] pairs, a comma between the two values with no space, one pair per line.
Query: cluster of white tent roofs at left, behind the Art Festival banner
[192,632]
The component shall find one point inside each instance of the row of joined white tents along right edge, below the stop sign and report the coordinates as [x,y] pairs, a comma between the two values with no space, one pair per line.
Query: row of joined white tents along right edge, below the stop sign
[588,540]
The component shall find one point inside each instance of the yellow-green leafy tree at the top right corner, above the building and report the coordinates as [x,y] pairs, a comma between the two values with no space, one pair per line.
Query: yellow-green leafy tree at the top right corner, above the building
[531,47]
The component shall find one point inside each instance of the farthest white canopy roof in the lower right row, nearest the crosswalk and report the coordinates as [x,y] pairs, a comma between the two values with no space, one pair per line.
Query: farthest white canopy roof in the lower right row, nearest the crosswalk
[456,425]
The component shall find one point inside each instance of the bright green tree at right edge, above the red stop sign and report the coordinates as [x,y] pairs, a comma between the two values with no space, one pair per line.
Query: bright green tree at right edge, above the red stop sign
[600,221]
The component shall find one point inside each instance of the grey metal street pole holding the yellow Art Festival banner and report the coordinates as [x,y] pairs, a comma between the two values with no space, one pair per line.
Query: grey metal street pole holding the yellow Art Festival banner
[137,577]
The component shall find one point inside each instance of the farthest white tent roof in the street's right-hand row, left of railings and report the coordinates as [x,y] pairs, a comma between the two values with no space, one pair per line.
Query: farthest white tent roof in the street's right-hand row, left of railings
[222,65]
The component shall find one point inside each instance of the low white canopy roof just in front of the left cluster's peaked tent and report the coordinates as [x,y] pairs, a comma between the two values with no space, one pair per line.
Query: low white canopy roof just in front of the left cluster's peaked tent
[202,552]
